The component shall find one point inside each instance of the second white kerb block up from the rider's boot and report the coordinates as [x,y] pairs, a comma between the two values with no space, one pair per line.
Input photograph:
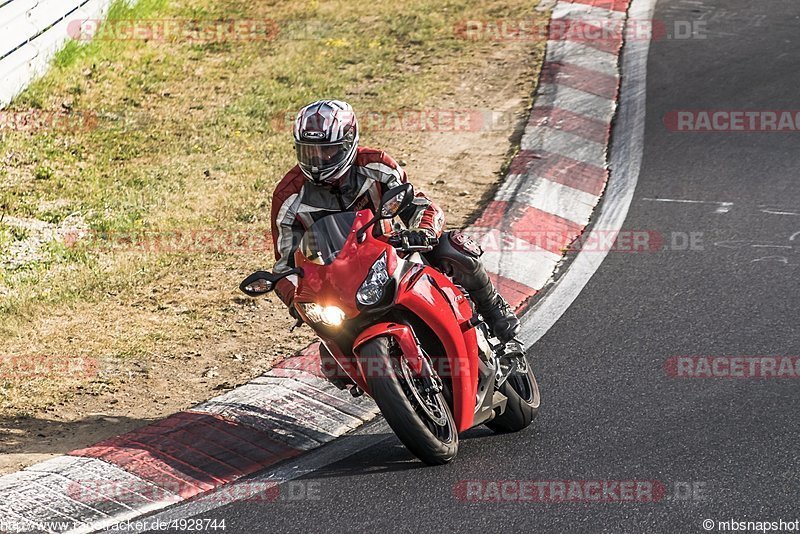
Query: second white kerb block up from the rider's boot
[548,196]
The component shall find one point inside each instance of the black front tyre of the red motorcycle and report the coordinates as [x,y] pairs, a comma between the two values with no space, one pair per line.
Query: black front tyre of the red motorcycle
[432,443]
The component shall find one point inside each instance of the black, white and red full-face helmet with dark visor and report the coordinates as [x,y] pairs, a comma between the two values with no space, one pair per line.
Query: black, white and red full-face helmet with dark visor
[326,140]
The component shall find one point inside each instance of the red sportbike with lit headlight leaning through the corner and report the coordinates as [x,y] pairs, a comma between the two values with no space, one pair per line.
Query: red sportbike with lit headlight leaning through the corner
[404,333]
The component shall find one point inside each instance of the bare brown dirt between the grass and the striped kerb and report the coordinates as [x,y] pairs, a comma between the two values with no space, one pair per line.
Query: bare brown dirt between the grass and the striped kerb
[458,169]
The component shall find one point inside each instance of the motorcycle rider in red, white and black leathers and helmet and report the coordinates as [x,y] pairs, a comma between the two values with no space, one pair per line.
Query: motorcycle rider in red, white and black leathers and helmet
[334,174]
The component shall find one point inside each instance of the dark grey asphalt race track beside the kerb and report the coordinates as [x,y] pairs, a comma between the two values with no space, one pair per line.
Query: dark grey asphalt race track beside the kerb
[611,411]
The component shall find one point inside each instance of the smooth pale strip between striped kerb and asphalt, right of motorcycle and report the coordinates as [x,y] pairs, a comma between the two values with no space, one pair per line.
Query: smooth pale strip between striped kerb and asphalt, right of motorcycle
[626,160]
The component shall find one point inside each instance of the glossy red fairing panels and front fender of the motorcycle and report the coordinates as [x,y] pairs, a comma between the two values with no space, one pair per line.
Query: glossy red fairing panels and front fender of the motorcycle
[425,292]
